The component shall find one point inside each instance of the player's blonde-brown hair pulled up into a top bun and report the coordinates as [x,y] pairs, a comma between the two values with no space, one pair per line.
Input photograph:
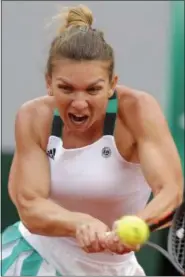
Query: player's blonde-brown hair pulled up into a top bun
[77,40]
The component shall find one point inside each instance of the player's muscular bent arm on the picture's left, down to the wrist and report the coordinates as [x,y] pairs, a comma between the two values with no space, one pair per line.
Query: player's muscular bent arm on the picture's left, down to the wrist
[29,185]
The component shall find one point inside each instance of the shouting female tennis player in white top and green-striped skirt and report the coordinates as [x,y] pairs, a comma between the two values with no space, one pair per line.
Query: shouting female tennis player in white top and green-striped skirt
[87,154]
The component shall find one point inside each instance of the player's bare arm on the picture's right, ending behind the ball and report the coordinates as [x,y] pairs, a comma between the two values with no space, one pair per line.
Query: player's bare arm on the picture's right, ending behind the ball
[158,155]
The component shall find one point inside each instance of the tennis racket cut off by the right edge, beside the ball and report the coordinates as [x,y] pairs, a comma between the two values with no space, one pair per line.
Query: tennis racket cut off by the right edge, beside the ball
[176,239]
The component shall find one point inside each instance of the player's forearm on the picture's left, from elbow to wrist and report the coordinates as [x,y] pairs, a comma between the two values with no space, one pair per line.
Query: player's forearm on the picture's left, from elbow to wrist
[45,217]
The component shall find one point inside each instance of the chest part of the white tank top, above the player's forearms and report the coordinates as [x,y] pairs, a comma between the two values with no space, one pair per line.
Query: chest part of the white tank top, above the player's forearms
[96,180]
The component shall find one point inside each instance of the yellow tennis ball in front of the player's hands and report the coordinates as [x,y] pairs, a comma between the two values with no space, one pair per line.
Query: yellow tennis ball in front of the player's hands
[132,230]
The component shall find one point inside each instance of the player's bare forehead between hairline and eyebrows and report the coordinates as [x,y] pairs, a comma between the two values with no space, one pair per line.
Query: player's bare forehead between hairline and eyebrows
[76,72]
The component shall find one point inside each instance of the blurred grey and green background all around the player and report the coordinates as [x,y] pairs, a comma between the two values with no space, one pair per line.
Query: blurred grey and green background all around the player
[148,38]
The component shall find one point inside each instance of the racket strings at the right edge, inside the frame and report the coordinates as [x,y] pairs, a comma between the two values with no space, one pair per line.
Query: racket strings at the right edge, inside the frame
[178,241]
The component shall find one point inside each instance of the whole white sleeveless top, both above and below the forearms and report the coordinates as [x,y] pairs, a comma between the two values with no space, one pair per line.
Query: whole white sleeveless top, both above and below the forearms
[96,180]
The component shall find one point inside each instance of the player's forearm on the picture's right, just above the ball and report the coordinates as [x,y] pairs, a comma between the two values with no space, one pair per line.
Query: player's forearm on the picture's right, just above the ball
[164,203]
